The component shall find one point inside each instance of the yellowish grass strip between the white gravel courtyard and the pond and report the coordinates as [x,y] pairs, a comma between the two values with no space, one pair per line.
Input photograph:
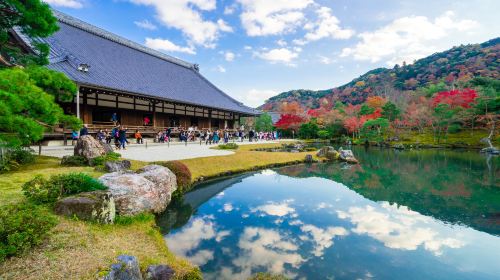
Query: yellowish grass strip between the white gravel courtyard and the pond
[243,159]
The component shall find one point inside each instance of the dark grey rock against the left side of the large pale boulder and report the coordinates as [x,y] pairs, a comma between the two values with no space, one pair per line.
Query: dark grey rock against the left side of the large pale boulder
[98,206]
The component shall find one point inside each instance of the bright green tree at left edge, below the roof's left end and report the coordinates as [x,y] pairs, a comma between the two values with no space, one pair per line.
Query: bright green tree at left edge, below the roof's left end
[26,110]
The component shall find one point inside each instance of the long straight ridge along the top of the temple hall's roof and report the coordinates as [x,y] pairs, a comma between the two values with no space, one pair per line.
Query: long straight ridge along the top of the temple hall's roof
[77,23]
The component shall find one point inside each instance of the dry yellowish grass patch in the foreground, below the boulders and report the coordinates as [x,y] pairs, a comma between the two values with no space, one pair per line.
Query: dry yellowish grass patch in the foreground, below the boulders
[81,250]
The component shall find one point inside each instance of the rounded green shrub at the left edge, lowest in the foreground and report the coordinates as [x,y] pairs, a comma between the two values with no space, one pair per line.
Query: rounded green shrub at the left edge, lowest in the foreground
[21,227]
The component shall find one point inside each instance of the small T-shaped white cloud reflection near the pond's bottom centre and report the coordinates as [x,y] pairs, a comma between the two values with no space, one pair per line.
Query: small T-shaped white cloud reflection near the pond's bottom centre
[322,238]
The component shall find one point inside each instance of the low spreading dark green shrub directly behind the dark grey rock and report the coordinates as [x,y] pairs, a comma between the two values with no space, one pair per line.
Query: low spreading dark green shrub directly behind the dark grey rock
[41,190]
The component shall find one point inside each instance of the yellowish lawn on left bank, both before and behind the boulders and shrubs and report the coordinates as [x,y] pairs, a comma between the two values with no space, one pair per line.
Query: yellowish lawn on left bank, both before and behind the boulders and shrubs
[82,250]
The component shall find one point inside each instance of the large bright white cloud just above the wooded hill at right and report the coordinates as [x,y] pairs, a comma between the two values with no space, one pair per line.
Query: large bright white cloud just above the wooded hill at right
[409,38]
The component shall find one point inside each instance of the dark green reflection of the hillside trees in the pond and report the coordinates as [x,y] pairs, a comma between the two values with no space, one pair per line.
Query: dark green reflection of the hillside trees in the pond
[453,186]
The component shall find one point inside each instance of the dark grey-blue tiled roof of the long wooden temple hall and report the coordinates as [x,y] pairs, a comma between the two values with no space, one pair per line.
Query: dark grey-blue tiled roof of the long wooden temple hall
[120,64]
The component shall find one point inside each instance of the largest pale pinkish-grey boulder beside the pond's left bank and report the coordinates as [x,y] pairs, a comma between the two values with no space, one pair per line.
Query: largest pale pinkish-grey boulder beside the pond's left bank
[149,190]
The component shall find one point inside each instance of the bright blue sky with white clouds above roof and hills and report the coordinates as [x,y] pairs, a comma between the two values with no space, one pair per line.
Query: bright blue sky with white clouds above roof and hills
[254,49]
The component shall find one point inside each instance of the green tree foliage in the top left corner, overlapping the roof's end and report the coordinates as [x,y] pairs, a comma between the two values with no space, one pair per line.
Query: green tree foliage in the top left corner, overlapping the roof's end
[35,19]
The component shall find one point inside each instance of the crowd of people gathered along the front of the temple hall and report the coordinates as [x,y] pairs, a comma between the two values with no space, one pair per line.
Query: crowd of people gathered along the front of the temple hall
[118,135]
